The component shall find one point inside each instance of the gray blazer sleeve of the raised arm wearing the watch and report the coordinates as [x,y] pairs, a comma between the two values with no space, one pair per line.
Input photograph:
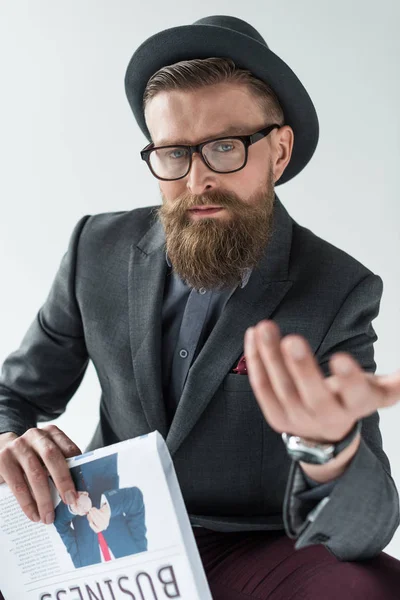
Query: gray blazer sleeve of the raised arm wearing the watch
[360,515]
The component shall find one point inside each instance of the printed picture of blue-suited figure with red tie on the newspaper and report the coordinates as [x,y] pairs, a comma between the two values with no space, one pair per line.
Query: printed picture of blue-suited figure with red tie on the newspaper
[104,522]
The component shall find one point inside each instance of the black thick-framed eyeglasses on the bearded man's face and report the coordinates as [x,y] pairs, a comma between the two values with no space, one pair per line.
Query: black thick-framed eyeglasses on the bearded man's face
[221,155]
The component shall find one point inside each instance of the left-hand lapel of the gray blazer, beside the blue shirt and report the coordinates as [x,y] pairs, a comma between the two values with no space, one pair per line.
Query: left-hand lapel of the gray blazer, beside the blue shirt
[147,270]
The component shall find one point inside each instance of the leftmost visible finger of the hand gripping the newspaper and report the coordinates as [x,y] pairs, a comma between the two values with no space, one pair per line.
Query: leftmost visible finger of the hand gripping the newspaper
[14,477]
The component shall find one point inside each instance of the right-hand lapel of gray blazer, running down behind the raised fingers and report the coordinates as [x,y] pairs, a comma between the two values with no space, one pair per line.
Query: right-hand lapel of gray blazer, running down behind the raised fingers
[266,288]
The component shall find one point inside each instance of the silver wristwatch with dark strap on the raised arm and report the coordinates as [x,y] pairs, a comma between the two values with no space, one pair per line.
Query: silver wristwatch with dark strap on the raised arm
[314,453]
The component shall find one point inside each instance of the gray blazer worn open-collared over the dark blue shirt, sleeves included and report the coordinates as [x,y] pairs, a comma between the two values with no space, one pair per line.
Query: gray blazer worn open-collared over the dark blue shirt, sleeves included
[234,472]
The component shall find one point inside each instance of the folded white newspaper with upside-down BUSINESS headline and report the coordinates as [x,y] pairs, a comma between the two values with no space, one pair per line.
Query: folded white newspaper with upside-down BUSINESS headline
[128,537]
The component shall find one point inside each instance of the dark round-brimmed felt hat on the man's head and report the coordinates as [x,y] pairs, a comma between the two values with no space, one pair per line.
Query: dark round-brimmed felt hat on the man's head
[228,37]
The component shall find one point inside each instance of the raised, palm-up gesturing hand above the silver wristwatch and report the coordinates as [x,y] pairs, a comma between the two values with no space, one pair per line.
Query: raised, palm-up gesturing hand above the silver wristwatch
[296,397]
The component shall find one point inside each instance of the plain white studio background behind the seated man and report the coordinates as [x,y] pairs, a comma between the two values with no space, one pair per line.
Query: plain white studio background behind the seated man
[69,145]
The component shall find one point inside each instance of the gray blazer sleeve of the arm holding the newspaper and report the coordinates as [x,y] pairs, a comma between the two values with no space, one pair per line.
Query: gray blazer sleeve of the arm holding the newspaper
[41,376]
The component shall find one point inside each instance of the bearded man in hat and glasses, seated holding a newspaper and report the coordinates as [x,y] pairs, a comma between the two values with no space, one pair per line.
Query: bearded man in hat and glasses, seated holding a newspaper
[167,301]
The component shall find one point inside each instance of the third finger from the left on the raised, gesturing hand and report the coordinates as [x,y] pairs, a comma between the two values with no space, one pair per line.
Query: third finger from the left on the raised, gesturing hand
[315,395]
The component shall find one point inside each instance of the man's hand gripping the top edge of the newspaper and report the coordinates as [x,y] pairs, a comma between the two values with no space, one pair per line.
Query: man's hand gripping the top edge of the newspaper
[26,461]
